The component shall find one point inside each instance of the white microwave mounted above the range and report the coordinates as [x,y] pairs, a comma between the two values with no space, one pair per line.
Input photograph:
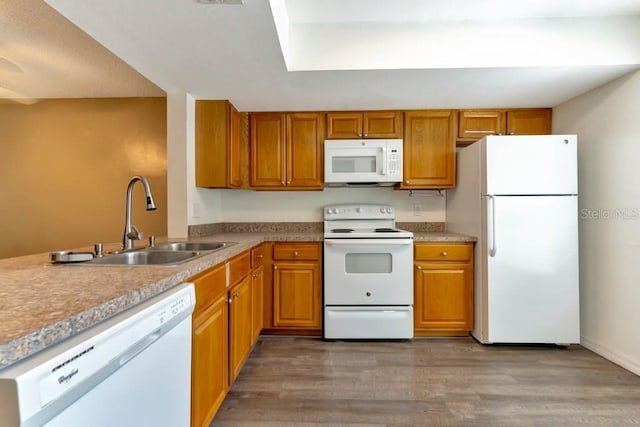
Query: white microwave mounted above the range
[362,162]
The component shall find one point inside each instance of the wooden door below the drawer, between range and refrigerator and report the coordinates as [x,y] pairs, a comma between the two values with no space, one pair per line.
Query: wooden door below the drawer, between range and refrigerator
[443,296]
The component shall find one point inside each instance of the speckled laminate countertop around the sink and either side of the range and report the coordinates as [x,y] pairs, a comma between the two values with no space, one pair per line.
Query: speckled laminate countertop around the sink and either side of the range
[42,304]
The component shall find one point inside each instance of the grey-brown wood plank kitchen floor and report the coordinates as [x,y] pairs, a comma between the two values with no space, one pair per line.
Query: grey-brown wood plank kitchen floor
[290,381]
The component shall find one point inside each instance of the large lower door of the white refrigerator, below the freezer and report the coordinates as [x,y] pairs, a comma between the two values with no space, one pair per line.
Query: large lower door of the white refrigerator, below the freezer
[532,270]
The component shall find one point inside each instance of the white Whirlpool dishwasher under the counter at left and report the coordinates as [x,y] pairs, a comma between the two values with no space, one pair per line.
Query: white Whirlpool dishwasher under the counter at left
[131,370]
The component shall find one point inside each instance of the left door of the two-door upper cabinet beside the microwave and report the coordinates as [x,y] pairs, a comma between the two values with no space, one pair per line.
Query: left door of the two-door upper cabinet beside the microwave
[267,150]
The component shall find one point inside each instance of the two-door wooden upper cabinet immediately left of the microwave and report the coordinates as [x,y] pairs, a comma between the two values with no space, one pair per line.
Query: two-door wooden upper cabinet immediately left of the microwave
[286,151]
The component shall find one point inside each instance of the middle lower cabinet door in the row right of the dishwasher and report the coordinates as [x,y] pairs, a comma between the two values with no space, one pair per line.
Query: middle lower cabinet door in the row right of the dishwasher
[240,328]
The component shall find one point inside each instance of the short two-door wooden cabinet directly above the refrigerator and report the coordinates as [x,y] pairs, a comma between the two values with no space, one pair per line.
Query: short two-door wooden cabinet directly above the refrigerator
[475,124]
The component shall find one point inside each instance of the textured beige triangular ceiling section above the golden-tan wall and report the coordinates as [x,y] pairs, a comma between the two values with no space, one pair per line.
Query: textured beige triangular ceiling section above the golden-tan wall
[43,55]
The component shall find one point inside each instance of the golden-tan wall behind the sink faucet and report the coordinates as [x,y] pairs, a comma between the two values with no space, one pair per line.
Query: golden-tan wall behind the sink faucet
[64,169]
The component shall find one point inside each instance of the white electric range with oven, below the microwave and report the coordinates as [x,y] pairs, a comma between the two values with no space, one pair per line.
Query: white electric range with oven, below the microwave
[368,274]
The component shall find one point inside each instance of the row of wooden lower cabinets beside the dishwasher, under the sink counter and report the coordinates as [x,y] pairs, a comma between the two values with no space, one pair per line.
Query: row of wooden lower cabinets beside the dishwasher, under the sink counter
[224,330]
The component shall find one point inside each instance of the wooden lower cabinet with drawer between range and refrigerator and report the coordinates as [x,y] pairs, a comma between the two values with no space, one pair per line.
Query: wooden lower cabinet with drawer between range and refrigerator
[443,289]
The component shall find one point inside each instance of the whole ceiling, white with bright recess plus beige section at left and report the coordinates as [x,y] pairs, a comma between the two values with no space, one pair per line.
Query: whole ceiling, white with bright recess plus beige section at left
[350,54]
